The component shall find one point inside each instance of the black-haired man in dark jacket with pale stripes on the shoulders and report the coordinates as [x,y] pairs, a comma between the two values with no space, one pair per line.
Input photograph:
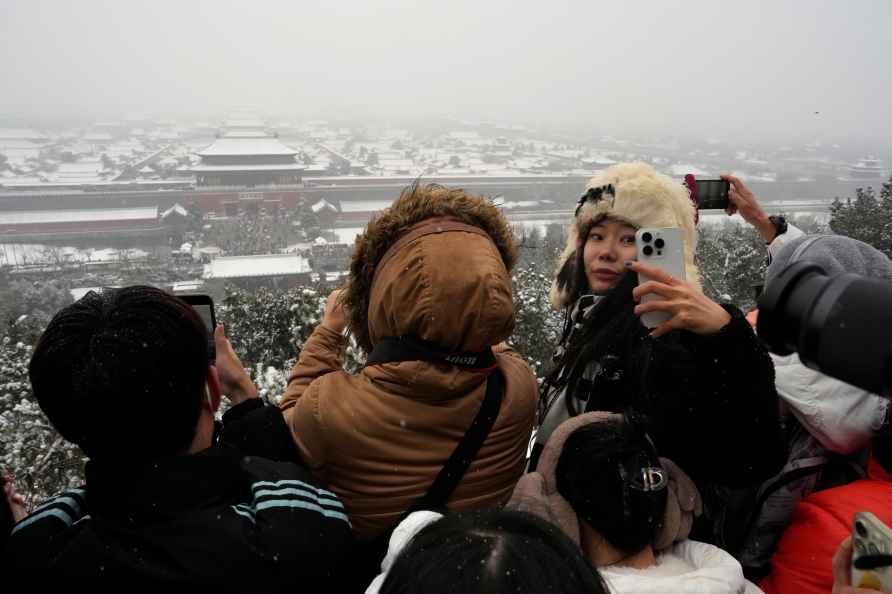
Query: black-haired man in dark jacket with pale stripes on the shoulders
[125,375]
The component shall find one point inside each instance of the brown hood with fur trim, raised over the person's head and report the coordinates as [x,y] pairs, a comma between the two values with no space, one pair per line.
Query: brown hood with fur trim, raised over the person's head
[435,264]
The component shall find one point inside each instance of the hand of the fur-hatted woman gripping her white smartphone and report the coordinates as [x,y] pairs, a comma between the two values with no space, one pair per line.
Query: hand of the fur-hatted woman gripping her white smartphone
[690,308]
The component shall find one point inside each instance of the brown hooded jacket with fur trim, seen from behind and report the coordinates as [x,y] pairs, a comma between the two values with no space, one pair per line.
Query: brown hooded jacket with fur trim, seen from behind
[378,438]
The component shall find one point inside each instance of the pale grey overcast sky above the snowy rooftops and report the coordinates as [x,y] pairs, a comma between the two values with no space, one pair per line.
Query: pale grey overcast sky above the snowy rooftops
[747,68]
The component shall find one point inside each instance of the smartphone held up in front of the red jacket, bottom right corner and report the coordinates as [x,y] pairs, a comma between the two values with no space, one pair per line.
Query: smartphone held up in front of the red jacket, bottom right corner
[870,538]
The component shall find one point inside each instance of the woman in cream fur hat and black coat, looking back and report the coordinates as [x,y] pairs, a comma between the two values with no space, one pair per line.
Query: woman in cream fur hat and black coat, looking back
[702,381]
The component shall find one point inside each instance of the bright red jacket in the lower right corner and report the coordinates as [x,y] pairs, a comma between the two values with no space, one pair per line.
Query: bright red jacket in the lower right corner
[802,561]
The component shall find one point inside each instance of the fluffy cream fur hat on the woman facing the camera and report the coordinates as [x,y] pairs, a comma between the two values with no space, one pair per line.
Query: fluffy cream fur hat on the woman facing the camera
[636,194]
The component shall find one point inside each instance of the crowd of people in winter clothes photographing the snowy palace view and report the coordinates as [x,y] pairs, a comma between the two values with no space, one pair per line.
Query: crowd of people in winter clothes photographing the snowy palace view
[675,457]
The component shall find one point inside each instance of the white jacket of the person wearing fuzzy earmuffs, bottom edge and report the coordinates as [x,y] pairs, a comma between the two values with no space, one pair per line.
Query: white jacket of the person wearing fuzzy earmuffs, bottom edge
[689,567]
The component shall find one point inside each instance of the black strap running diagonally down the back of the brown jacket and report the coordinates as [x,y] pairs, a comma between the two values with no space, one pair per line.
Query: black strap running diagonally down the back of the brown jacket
[454,469]
